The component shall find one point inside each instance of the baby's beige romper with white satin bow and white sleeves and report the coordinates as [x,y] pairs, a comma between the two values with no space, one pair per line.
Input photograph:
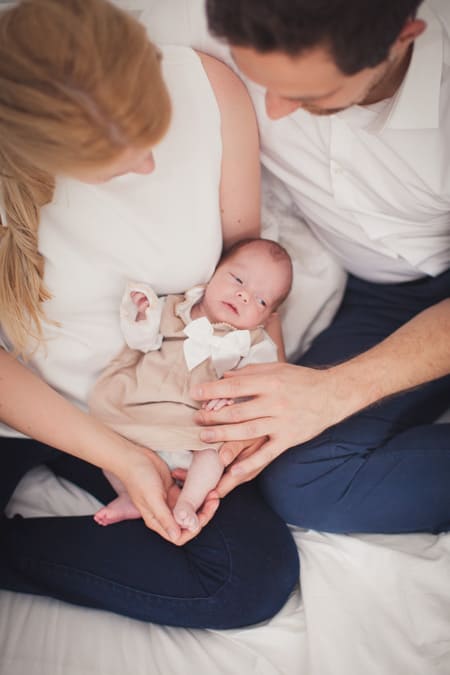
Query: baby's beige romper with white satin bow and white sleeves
[144,395]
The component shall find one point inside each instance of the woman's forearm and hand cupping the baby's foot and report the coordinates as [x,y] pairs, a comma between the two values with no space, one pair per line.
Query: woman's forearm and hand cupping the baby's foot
[29,405]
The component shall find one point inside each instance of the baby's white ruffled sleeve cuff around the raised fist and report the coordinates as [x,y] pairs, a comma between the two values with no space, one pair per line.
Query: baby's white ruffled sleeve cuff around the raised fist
[142,335]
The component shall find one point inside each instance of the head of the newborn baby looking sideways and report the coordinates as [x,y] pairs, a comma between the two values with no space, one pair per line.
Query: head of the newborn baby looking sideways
[245,289]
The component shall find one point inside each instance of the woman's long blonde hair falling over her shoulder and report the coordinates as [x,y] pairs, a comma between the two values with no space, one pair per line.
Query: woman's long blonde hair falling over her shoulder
[79,83]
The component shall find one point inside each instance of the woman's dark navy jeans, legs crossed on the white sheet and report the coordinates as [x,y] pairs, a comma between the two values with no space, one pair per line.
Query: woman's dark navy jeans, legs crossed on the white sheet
[239,570]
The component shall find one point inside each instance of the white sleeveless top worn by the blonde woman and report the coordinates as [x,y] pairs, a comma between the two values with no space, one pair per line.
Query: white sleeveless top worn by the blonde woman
[163,229]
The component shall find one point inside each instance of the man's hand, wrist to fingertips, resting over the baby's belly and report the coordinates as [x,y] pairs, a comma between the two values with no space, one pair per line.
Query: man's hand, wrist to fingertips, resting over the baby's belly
[288,404]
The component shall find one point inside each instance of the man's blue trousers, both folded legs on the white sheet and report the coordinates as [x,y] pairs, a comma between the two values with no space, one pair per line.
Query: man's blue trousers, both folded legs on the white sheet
[386,469]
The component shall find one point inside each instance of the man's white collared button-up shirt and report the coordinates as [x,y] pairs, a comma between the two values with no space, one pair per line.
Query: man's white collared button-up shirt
[373,182]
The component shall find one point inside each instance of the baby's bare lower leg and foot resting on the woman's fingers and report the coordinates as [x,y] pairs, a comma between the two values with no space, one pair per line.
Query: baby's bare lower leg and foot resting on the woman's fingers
[202,476]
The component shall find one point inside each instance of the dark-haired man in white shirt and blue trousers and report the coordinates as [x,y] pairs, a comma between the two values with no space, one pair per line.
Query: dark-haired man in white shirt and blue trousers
[357,124]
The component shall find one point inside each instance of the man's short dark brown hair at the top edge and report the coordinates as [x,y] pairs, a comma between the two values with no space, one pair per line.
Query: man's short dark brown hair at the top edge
[358,33]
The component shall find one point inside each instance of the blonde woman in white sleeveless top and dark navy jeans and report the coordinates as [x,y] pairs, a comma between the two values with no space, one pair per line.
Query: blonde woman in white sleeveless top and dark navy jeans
[85,115]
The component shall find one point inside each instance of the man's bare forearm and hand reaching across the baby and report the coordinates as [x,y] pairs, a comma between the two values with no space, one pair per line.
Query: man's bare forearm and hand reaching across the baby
[292,404]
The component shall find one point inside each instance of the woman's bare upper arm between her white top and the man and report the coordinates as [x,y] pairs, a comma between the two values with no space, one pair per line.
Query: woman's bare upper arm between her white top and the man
[240,179]
